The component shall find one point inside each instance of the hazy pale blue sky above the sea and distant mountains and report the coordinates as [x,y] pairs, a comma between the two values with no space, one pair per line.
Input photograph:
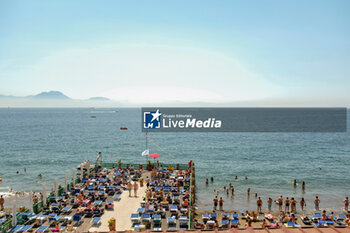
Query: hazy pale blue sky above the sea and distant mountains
[149,52]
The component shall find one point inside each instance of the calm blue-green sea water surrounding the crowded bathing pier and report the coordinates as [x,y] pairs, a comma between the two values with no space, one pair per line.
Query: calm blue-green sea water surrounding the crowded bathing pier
[53,141]
